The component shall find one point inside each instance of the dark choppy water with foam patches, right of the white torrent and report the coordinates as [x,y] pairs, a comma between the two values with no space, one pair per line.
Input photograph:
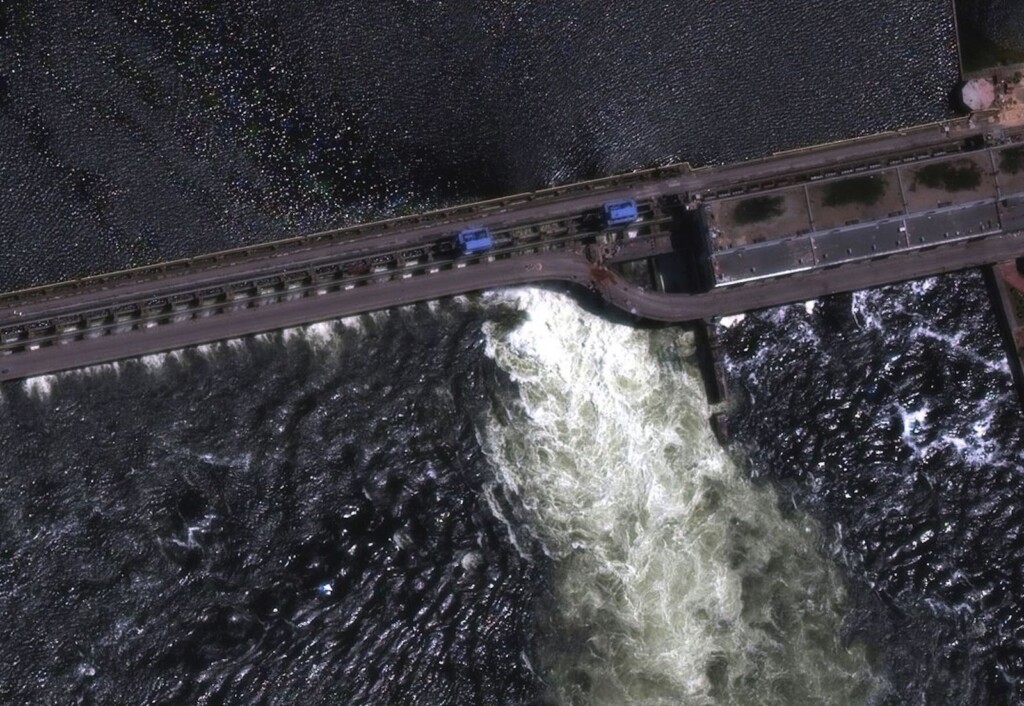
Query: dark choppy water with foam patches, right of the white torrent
[904,433]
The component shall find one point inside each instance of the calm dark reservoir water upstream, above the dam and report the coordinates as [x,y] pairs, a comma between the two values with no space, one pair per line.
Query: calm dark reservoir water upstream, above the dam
[132,135]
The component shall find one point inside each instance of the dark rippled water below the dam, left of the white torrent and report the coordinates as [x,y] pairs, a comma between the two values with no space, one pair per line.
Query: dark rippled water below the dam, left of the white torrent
[267,522]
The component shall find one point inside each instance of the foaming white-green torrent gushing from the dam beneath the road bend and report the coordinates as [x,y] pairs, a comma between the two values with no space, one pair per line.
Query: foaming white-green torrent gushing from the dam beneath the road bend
[677,580]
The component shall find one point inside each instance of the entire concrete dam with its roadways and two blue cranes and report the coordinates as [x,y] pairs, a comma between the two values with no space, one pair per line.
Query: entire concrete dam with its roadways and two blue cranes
[696,244]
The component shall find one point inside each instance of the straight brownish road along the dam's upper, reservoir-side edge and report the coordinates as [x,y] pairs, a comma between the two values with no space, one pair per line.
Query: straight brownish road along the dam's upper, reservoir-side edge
[543,204]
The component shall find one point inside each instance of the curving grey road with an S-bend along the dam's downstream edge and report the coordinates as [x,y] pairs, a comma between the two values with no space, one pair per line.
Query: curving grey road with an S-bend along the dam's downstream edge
[570,268]
